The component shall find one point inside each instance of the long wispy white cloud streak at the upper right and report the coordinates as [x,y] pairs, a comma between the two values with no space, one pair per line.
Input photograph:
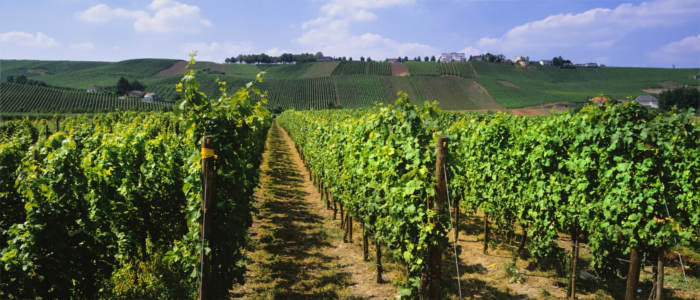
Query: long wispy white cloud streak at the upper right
[599,28]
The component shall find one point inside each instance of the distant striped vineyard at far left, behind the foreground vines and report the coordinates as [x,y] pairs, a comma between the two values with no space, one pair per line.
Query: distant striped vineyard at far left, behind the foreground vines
[17,98]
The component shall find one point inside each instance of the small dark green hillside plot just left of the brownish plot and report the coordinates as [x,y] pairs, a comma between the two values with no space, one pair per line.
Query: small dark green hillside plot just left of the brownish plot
[358,91]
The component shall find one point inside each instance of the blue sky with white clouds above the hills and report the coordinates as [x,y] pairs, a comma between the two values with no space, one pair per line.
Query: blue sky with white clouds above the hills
[658,33]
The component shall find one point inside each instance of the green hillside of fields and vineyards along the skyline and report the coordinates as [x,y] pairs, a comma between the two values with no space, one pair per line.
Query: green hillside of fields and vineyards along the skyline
[458,86]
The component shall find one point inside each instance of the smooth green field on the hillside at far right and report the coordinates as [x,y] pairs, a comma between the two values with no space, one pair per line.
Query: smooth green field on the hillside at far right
[537,85]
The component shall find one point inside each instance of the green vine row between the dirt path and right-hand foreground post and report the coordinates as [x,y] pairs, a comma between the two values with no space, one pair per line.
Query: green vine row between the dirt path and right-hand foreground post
[377,164]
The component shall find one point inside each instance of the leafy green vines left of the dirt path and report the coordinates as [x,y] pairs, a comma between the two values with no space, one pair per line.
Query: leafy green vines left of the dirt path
[109,206]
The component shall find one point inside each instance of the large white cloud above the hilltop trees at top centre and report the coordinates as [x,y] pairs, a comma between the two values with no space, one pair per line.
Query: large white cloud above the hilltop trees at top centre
[331,32]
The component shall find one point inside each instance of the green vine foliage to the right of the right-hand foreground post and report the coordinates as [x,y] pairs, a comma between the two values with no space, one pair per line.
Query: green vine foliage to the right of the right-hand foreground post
[620,177]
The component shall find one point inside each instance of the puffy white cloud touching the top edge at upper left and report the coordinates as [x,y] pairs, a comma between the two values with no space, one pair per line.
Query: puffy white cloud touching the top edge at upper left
[164,16]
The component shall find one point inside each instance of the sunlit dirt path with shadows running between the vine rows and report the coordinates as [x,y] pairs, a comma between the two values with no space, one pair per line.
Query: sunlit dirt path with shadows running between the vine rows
[296,251]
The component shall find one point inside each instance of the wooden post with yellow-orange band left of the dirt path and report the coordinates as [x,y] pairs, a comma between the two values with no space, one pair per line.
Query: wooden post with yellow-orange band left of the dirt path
[206,283]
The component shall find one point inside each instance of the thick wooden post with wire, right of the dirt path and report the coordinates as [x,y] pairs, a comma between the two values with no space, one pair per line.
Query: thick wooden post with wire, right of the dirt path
[435,267]
